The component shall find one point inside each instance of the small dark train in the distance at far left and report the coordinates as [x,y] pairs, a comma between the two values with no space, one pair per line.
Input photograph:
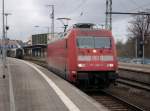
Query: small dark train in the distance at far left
[16,53]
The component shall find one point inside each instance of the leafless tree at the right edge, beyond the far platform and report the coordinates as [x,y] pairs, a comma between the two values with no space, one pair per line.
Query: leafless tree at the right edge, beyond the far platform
[138,26]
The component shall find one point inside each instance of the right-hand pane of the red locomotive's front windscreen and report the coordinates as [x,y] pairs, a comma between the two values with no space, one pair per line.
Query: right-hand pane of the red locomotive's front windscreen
[102,42]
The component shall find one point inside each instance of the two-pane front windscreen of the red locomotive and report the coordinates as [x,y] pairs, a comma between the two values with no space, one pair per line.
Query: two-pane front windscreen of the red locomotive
[93,42]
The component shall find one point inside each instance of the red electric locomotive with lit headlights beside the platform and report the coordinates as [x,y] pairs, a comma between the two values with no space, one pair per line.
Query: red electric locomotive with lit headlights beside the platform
[84,55]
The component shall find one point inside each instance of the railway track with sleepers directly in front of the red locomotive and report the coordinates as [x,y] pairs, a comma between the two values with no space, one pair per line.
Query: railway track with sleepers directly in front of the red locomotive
[112,102]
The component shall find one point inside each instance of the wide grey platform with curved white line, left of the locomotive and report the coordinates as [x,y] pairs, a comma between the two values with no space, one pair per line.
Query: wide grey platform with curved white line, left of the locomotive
[29,87]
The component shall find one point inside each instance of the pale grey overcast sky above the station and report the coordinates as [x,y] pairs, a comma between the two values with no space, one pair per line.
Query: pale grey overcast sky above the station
[28,13]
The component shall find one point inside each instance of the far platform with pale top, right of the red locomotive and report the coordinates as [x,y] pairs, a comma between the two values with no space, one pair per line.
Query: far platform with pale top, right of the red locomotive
[137,72]
